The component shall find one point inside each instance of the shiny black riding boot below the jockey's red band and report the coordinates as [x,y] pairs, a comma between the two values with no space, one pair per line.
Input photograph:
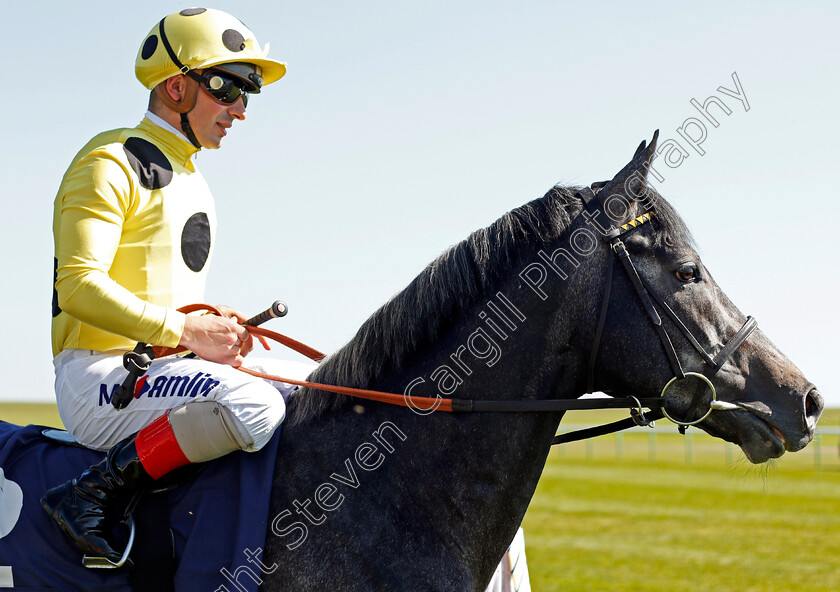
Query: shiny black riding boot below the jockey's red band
[88,507]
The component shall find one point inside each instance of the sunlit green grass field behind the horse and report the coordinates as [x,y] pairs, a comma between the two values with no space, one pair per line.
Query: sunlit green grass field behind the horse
[662,512]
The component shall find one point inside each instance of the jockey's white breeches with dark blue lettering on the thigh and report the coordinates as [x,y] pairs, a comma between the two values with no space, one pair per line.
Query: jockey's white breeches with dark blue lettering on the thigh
[85,382]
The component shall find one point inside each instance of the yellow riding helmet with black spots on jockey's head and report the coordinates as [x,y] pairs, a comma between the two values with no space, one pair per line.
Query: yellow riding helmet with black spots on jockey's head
[199,38]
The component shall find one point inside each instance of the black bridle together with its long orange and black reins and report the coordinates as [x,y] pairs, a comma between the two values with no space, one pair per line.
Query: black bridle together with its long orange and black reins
[138,361]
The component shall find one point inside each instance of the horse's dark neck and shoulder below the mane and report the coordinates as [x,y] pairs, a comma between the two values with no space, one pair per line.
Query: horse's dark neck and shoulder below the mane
[450,488]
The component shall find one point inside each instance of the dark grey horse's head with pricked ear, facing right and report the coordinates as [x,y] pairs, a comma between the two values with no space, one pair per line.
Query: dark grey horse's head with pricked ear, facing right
[771,406]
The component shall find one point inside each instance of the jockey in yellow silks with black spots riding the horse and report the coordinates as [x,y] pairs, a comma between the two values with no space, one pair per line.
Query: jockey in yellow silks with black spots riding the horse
[134,226]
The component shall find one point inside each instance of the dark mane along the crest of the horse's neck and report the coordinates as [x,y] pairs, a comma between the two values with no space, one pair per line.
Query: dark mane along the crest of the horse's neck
[463,275]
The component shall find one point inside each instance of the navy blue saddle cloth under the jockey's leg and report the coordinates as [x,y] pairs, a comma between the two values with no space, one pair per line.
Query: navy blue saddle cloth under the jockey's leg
[218,520]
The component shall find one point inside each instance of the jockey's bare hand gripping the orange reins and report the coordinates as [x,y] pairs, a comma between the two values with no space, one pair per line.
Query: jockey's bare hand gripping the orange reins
[218,339]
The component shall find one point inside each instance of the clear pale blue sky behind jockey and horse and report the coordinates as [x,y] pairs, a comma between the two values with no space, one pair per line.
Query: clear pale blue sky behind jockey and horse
[402,127]
